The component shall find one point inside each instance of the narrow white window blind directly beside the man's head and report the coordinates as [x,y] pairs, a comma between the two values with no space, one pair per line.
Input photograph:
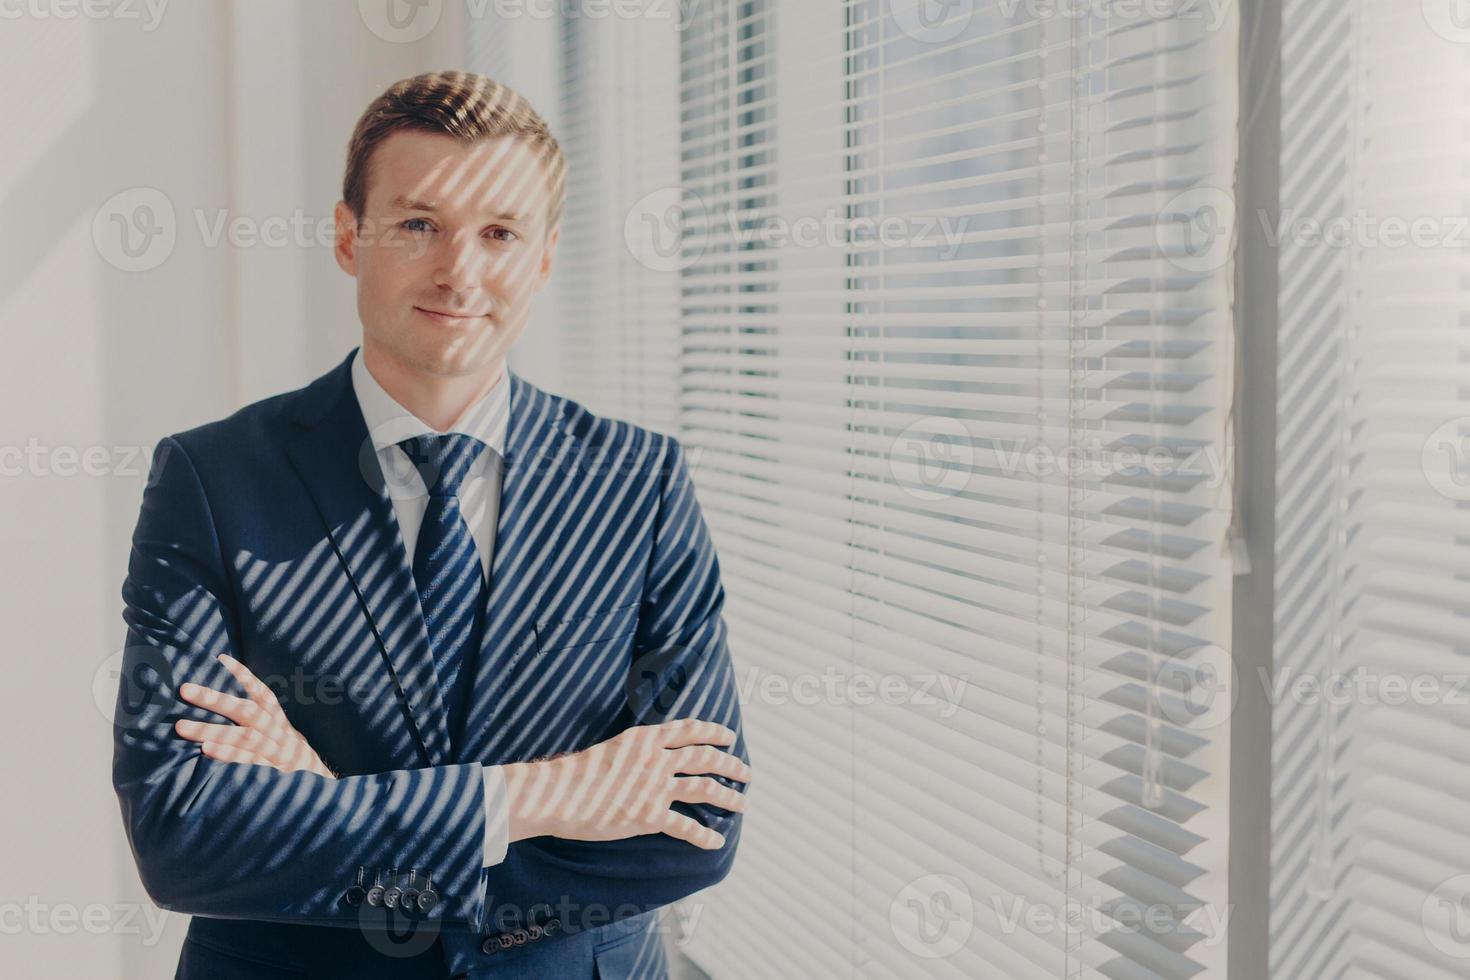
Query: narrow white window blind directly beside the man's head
[617,334]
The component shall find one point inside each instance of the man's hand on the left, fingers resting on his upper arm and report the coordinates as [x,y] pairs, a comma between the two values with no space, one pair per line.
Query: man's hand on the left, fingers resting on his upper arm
[261,732]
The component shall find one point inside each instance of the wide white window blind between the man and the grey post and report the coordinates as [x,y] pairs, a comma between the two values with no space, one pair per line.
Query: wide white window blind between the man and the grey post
[919,261]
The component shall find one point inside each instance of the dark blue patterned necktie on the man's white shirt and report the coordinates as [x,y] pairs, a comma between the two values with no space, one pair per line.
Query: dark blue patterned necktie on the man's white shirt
[446,568]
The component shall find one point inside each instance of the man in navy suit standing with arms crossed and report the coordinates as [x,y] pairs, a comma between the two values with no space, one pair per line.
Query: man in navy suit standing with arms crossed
[484,694]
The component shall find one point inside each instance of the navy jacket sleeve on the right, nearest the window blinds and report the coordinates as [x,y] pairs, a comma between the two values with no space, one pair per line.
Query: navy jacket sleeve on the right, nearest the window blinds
[681,669]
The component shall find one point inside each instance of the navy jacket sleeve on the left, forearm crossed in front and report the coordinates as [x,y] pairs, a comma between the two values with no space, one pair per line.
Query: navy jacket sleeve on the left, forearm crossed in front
[237,841]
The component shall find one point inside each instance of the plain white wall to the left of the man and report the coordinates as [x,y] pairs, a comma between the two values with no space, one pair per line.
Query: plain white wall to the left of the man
[208,108]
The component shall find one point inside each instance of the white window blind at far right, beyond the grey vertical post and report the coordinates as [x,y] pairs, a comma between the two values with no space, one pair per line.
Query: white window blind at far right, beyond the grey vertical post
[1371,760]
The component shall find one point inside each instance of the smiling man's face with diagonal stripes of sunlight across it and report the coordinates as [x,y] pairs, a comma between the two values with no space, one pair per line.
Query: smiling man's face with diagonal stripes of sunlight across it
[448,230]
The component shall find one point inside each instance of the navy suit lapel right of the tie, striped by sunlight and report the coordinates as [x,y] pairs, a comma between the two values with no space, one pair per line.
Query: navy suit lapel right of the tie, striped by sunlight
[540,458]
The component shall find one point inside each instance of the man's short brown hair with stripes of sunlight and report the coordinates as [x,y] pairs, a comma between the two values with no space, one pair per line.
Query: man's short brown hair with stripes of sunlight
[461,105]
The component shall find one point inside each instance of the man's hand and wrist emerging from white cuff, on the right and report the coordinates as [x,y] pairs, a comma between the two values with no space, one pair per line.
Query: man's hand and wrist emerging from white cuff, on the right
[624,787]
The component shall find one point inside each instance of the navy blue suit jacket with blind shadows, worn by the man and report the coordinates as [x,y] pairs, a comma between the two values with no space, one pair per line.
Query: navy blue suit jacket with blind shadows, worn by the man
[271,536]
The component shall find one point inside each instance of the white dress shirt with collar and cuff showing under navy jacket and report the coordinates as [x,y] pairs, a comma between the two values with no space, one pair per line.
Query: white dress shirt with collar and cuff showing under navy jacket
[489,421]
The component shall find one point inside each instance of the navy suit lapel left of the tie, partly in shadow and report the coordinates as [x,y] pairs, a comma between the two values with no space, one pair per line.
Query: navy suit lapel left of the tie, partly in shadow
[336,459]
